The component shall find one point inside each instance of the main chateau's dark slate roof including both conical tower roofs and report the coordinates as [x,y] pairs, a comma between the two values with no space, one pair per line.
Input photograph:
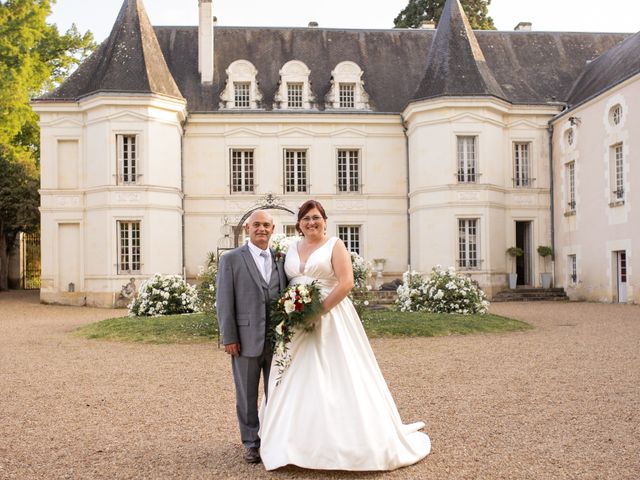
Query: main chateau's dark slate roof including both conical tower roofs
[520,67]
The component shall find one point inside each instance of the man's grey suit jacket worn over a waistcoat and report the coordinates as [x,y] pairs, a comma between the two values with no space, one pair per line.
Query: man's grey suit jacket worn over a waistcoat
[240,301]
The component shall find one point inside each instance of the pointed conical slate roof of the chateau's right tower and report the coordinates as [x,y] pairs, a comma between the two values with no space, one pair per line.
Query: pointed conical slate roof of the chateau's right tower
[456,65]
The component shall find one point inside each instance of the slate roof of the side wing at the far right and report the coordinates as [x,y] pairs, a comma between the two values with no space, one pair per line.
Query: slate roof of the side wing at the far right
[608,70]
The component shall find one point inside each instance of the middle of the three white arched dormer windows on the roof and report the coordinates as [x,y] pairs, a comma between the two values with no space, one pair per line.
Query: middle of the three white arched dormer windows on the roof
[294,90]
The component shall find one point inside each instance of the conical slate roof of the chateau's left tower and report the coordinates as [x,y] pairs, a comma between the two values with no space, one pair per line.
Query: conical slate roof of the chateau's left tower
[129,61]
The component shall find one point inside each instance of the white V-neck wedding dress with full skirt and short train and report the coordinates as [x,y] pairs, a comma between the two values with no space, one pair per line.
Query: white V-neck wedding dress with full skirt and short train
[332,409]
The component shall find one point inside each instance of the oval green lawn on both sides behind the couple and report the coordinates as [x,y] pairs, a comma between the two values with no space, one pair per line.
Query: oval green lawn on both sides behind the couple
[197,328]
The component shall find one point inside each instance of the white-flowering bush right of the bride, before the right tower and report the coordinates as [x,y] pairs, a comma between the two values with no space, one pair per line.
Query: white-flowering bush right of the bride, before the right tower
[444,292]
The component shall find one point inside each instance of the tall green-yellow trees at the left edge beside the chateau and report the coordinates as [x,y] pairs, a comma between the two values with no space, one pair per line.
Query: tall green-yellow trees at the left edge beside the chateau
[34,57]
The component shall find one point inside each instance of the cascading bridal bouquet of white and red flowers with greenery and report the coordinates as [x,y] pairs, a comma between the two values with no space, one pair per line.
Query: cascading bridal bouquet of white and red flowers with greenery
[294,310]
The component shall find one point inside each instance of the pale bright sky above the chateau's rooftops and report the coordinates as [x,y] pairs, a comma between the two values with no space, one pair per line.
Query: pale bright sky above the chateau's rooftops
[545,15]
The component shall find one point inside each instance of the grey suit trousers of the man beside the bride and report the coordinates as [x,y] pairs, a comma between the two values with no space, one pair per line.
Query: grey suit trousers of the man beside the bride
[246,375]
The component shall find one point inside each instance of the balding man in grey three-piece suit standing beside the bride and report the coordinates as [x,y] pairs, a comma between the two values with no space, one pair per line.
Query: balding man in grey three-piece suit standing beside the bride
[248,281]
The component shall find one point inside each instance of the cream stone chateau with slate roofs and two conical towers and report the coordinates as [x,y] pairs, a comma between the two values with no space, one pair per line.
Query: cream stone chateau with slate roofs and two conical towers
[426,146]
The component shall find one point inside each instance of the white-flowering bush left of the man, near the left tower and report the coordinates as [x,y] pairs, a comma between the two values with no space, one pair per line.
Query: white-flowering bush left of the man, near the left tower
[164,295]
